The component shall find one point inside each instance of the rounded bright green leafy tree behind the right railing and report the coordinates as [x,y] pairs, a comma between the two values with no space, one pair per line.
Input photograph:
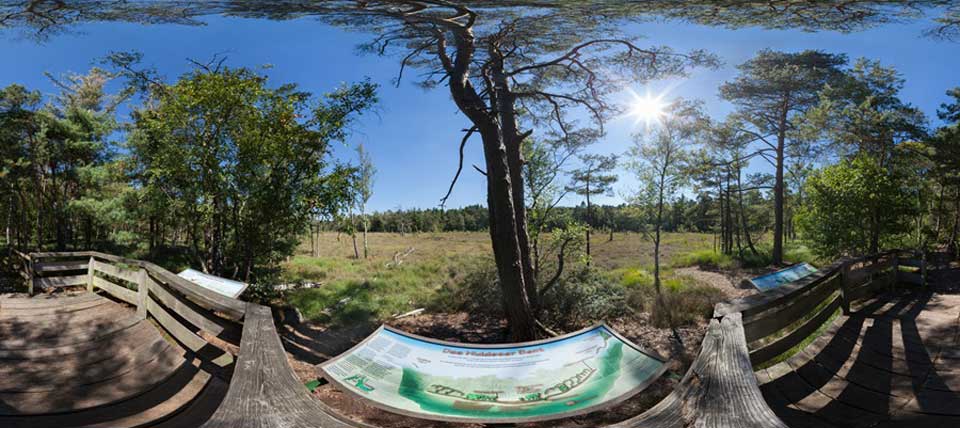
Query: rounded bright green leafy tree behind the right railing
[841,196]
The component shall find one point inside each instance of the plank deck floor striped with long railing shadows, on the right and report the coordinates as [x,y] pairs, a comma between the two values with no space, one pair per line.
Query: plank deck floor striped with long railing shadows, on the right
[893,362]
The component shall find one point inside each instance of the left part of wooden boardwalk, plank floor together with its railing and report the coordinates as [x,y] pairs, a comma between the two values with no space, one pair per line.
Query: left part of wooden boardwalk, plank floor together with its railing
[142,347]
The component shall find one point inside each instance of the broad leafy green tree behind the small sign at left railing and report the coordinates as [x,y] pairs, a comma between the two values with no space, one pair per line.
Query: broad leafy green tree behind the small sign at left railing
[243,166]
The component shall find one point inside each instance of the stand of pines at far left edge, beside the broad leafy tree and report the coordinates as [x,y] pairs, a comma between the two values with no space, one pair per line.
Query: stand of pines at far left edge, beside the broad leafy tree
[54,158]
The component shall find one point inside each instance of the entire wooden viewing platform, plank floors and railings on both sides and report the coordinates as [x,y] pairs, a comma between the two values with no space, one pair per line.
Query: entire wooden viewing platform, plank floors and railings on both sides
[141,347]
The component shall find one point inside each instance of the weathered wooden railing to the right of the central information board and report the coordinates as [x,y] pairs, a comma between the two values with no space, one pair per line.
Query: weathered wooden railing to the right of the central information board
[720,389]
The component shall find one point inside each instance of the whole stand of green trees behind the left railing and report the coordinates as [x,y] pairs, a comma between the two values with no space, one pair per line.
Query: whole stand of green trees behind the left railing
[219,167]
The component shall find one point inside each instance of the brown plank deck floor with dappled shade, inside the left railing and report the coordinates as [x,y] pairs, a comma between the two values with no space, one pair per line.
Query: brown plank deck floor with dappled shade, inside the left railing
[85,360]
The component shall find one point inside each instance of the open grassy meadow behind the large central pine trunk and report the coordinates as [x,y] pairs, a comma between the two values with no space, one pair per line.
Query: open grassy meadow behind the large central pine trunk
[435,271]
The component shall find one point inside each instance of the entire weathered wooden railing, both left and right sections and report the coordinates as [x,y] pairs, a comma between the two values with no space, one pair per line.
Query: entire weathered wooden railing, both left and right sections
[719,390]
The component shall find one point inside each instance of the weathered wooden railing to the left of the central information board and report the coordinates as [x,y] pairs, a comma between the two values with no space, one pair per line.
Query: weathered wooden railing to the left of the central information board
[263,392]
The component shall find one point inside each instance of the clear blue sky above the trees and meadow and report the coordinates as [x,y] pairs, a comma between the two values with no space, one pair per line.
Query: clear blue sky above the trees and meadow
[413,138]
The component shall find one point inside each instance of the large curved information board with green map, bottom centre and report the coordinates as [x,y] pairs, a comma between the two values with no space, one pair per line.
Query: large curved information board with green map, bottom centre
[561,377]
